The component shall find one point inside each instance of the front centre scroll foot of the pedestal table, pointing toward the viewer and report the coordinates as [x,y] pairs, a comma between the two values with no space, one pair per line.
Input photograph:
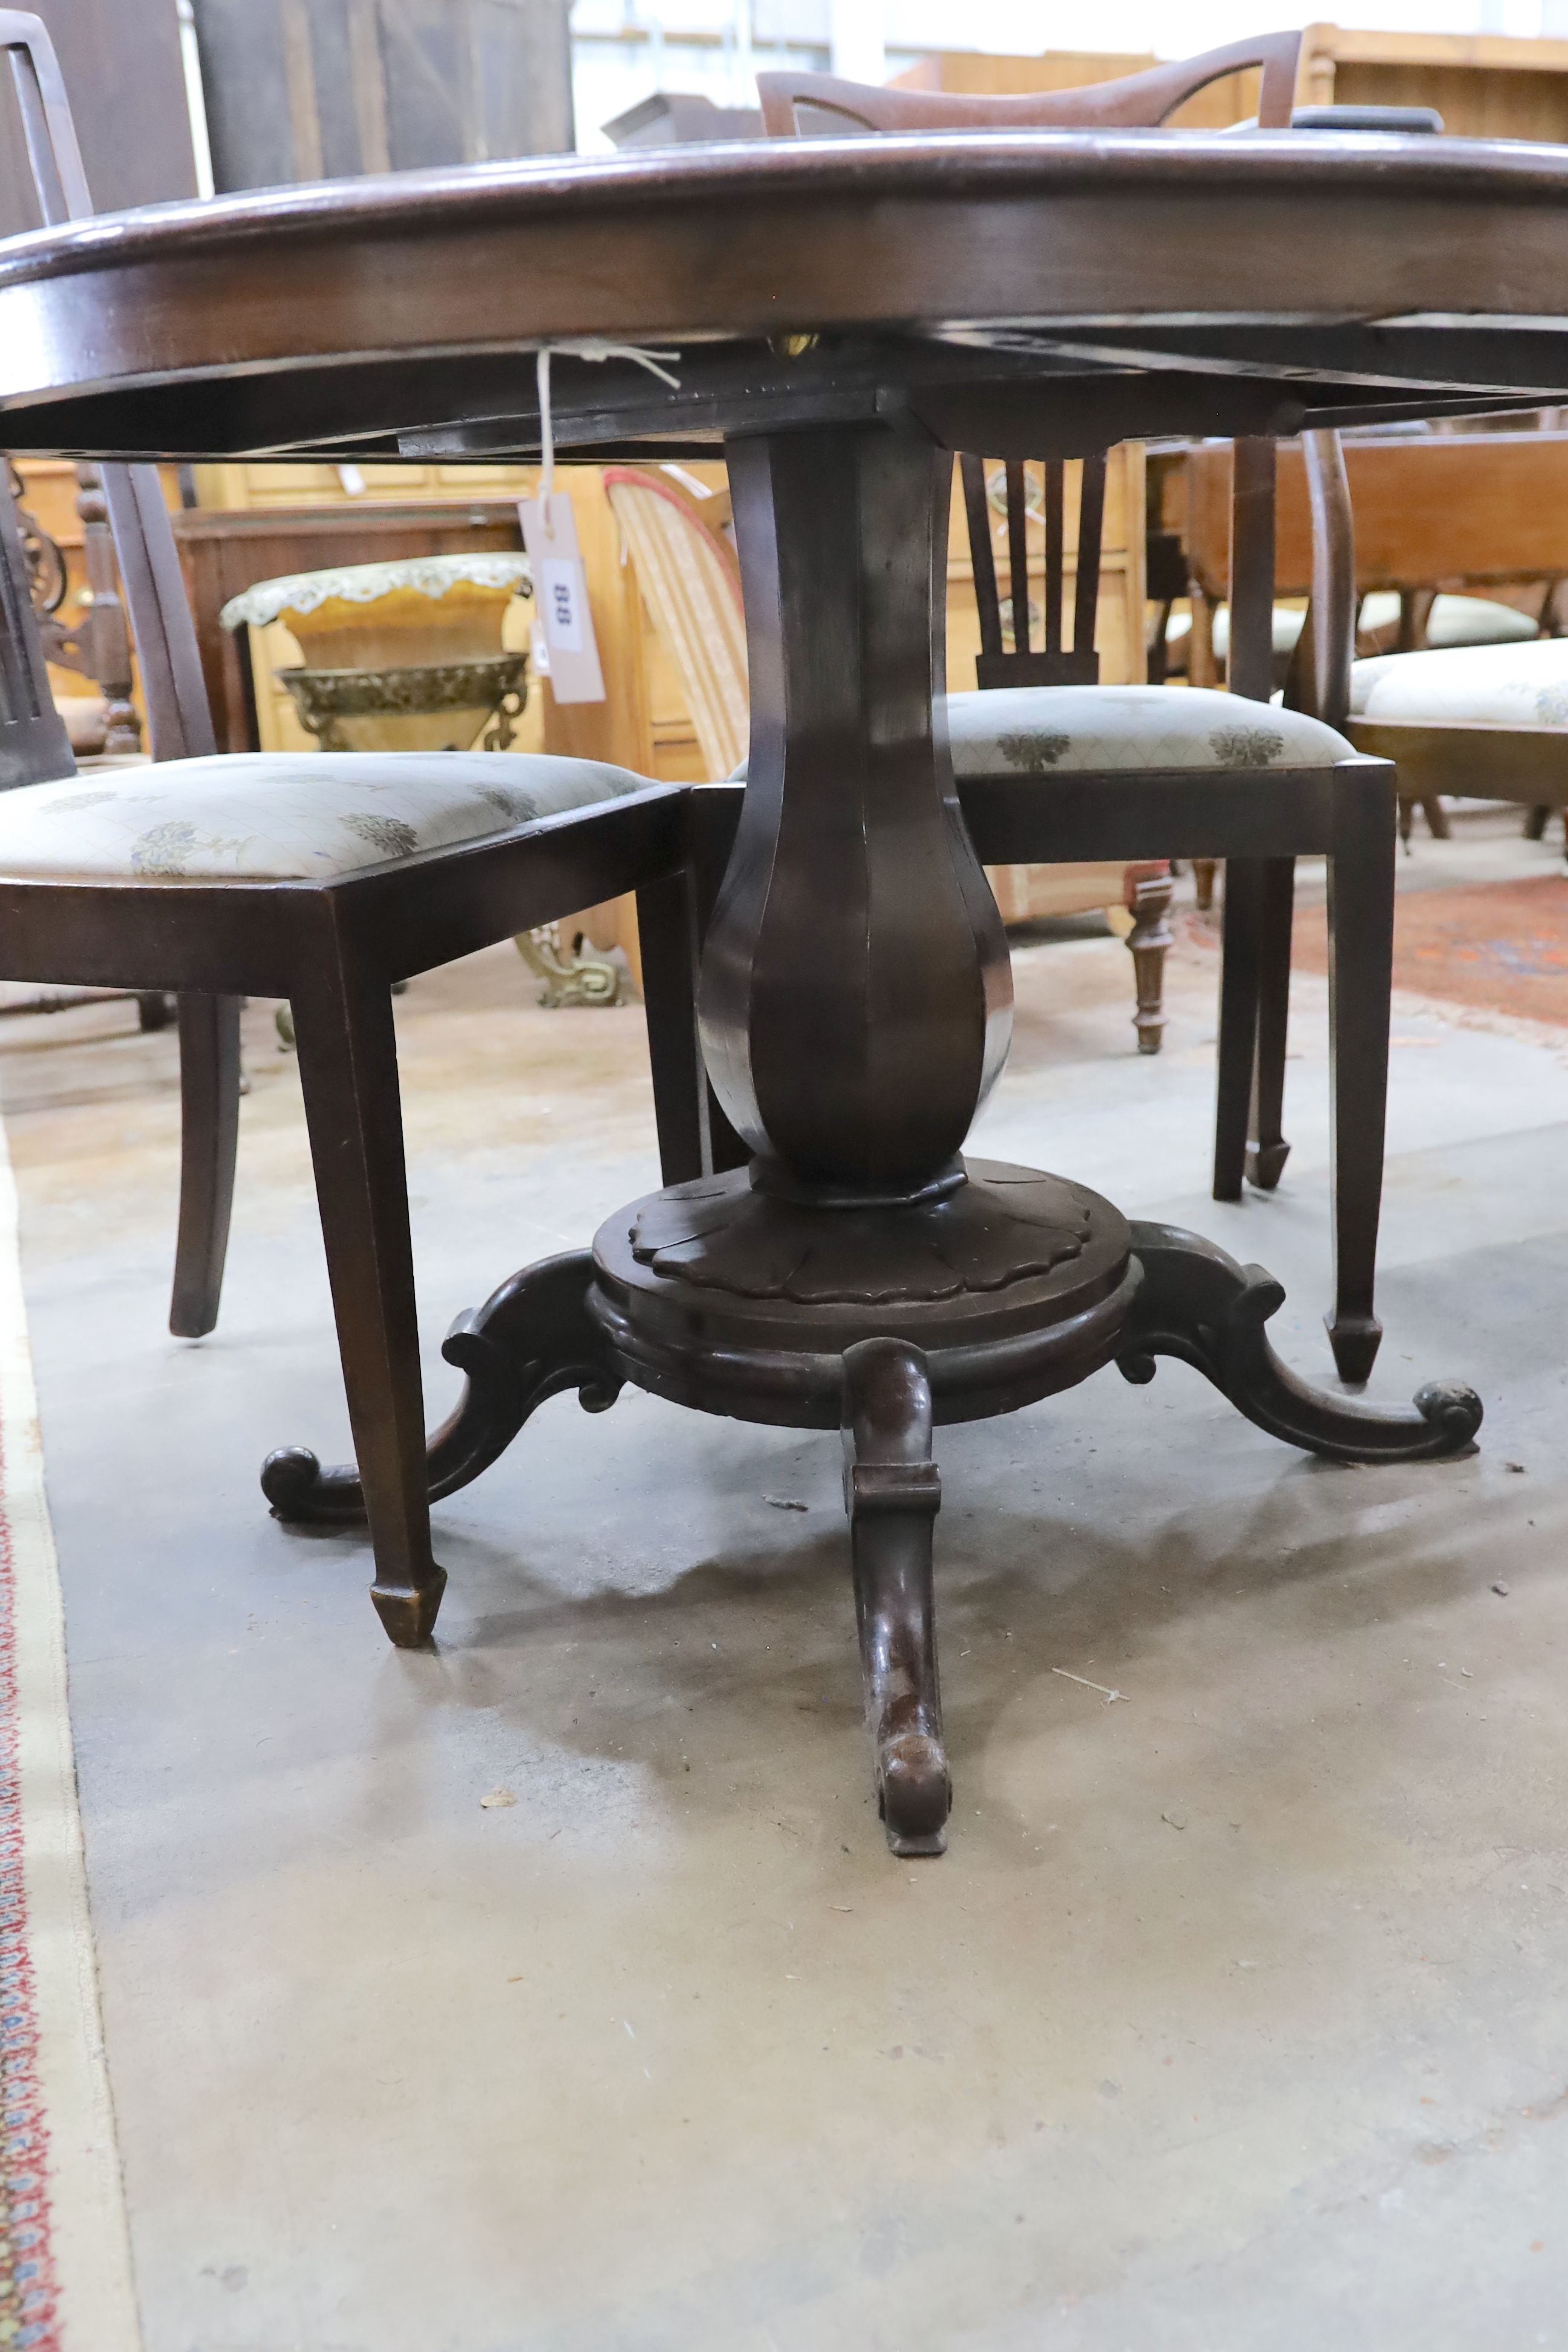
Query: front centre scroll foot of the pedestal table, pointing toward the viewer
[892,1495]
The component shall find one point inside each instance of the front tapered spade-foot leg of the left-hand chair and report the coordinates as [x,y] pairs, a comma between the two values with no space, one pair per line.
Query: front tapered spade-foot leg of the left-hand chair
[349,1076]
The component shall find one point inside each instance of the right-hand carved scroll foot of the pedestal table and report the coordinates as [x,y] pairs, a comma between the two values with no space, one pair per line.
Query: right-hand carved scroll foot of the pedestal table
[1205,1309]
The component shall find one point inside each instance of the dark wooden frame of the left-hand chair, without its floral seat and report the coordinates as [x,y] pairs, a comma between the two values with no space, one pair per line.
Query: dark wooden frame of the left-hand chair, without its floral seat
[333,949]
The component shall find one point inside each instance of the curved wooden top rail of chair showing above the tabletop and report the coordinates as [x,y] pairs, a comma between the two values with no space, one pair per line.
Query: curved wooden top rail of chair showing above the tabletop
[1137,102]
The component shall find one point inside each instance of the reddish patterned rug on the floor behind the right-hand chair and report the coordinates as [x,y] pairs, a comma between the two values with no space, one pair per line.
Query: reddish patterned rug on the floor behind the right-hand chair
[1496,947]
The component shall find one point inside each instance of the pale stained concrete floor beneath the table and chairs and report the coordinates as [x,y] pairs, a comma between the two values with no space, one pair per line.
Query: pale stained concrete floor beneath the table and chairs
[1235,2014]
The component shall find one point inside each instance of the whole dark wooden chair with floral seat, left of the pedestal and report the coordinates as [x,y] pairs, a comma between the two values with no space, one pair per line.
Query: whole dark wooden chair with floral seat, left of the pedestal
[321,881]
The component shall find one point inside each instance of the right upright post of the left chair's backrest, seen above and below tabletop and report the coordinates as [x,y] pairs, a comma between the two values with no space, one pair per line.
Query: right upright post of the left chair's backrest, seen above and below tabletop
[180,719]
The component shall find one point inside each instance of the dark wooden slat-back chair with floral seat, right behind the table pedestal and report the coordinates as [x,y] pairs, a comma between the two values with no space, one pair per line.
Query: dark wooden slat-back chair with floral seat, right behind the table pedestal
[1099,761]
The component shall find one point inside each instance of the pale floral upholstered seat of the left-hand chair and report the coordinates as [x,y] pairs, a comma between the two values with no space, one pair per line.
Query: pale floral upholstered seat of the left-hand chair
[288,817]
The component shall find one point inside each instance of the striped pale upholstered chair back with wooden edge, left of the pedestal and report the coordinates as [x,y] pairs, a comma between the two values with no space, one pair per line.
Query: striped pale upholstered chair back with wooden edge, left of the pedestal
[690,582]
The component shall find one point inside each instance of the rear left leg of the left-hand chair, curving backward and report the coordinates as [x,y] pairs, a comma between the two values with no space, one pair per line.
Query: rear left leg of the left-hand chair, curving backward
[208,1144]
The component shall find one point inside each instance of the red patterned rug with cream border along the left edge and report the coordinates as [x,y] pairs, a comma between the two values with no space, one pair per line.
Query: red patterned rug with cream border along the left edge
[65,2254]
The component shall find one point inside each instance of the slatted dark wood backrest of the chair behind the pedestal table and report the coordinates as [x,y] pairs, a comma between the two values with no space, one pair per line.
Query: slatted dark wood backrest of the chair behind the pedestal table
[798,102]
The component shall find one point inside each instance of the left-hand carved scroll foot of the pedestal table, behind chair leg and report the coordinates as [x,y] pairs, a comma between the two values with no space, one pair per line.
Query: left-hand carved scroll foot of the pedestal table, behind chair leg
[528,1342]
